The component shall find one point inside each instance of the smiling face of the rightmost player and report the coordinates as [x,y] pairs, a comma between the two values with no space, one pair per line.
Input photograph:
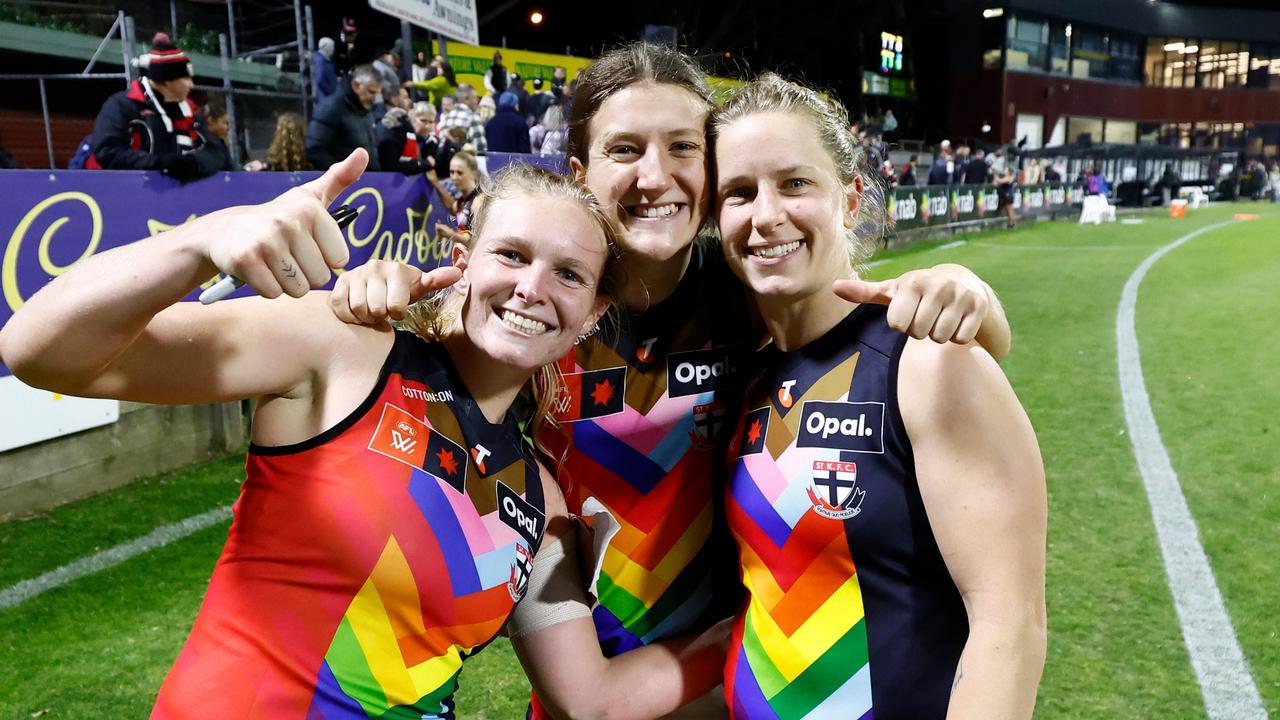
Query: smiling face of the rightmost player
[784,216]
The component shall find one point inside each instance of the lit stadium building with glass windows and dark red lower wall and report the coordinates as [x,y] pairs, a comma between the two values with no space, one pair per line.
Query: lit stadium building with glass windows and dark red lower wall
[1046,74]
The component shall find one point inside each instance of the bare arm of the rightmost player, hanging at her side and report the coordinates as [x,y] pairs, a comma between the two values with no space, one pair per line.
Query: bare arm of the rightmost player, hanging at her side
[982,481]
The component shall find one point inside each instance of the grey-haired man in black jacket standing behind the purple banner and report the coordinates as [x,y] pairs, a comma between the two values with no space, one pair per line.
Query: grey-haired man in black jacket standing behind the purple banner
[342,122]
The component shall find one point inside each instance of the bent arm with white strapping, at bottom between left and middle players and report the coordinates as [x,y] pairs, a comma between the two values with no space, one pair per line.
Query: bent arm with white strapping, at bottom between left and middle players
[555,639]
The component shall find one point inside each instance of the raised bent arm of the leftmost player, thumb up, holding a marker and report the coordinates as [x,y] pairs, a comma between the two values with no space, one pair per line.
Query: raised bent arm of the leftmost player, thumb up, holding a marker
[113,325]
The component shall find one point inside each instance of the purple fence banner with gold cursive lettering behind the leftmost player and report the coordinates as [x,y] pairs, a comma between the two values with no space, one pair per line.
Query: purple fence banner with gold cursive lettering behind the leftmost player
[52,220]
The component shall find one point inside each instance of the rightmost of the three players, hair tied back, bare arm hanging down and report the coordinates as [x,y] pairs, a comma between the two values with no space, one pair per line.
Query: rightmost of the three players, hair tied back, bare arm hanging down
[902,476]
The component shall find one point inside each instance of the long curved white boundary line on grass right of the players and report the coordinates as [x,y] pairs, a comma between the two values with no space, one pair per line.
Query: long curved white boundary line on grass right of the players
[1217,657]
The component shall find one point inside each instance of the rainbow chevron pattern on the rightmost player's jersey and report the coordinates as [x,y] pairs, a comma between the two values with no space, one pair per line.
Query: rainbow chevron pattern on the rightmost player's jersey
[801,648]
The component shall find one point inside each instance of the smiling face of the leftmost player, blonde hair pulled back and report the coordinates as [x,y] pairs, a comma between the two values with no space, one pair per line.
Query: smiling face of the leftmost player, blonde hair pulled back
[532,280]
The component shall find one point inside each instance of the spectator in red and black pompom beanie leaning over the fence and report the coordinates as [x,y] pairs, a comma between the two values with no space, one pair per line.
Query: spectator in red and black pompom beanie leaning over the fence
[154,125]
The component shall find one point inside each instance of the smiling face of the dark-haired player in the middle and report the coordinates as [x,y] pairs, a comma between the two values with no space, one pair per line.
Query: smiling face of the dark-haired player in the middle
[647,163]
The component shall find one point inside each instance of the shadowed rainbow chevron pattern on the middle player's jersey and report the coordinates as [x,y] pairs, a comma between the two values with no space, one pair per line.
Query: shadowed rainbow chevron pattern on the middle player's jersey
[651,467]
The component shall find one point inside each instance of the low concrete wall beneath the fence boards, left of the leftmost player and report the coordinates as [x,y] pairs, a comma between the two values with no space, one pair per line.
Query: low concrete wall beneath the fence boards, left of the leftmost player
[147,440]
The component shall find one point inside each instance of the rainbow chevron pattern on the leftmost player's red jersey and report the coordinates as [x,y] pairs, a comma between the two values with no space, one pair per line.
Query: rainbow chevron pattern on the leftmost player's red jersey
[405,664]
